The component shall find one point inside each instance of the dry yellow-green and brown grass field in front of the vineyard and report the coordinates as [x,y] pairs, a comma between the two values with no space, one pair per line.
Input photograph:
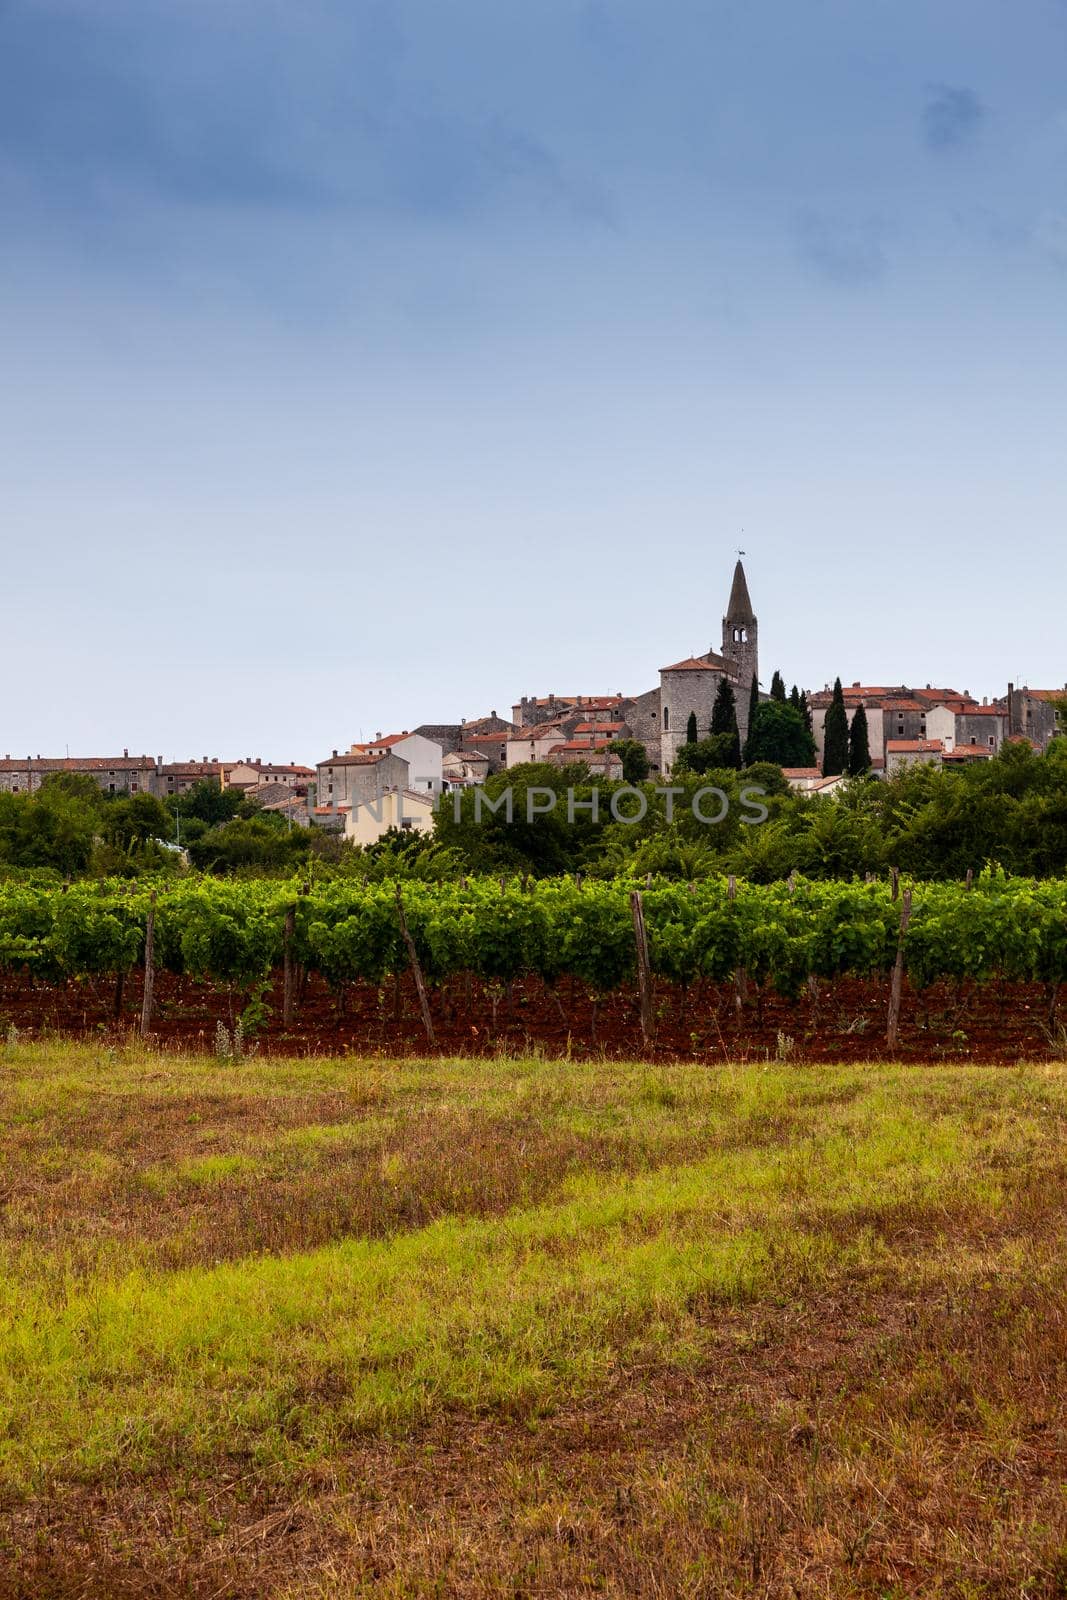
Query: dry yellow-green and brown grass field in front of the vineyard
[530,1329]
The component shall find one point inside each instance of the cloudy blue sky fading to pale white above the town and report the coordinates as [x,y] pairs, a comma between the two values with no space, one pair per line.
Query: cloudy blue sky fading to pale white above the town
[369,364]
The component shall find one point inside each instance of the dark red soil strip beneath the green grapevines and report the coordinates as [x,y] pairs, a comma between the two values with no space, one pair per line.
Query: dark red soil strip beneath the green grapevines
[836,1022]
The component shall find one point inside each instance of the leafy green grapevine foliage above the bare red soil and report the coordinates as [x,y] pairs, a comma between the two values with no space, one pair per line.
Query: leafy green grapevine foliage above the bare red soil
[778,935]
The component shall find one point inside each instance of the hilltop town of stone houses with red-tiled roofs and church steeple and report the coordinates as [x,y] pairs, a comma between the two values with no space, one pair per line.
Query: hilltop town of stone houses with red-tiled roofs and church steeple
[394,780]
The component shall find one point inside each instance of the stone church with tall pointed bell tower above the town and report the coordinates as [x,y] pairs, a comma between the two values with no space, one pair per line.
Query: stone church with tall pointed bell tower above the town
[660,718]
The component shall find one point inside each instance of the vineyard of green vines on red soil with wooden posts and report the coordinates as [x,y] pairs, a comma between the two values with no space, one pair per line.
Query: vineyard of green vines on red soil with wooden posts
[454,966]
